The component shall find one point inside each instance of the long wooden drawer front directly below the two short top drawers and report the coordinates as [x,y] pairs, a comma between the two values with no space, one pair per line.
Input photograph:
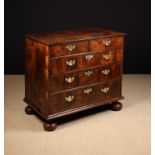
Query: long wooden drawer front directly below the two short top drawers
[72,63]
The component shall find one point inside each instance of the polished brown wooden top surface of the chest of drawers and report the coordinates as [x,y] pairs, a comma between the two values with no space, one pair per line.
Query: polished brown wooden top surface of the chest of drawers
[60,37]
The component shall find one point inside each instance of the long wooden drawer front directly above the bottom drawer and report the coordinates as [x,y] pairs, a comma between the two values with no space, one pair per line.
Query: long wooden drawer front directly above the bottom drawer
[71,80]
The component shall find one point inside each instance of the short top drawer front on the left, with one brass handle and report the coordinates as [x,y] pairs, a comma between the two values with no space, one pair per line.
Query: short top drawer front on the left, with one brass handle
[71,48]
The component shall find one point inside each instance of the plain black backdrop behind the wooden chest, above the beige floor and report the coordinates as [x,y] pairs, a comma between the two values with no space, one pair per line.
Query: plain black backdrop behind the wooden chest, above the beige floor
[38,16]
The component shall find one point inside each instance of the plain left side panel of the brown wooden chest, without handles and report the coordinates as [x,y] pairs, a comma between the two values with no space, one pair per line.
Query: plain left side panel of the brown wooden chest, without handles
[36,75]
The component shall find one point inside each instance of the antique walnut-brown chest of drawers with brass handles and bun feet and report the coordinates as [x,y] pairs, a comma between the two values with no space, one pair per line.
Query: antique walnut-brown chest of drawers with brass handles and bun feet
[70,71]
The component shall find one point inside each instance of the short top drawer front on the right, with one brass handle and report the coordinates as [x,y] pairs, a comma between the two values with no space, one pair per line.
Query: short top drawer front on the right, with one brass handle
[106,43]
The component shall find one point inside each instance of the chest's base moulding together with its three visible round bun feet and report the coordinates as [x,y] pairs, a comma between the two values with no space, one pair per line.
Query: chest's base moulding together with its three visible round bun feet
[50,123]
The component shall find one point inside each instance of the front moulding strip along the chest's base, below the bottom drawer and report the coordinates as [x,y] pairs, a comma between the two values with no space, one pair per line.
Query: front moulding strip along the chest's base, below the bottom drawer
[82,108]
